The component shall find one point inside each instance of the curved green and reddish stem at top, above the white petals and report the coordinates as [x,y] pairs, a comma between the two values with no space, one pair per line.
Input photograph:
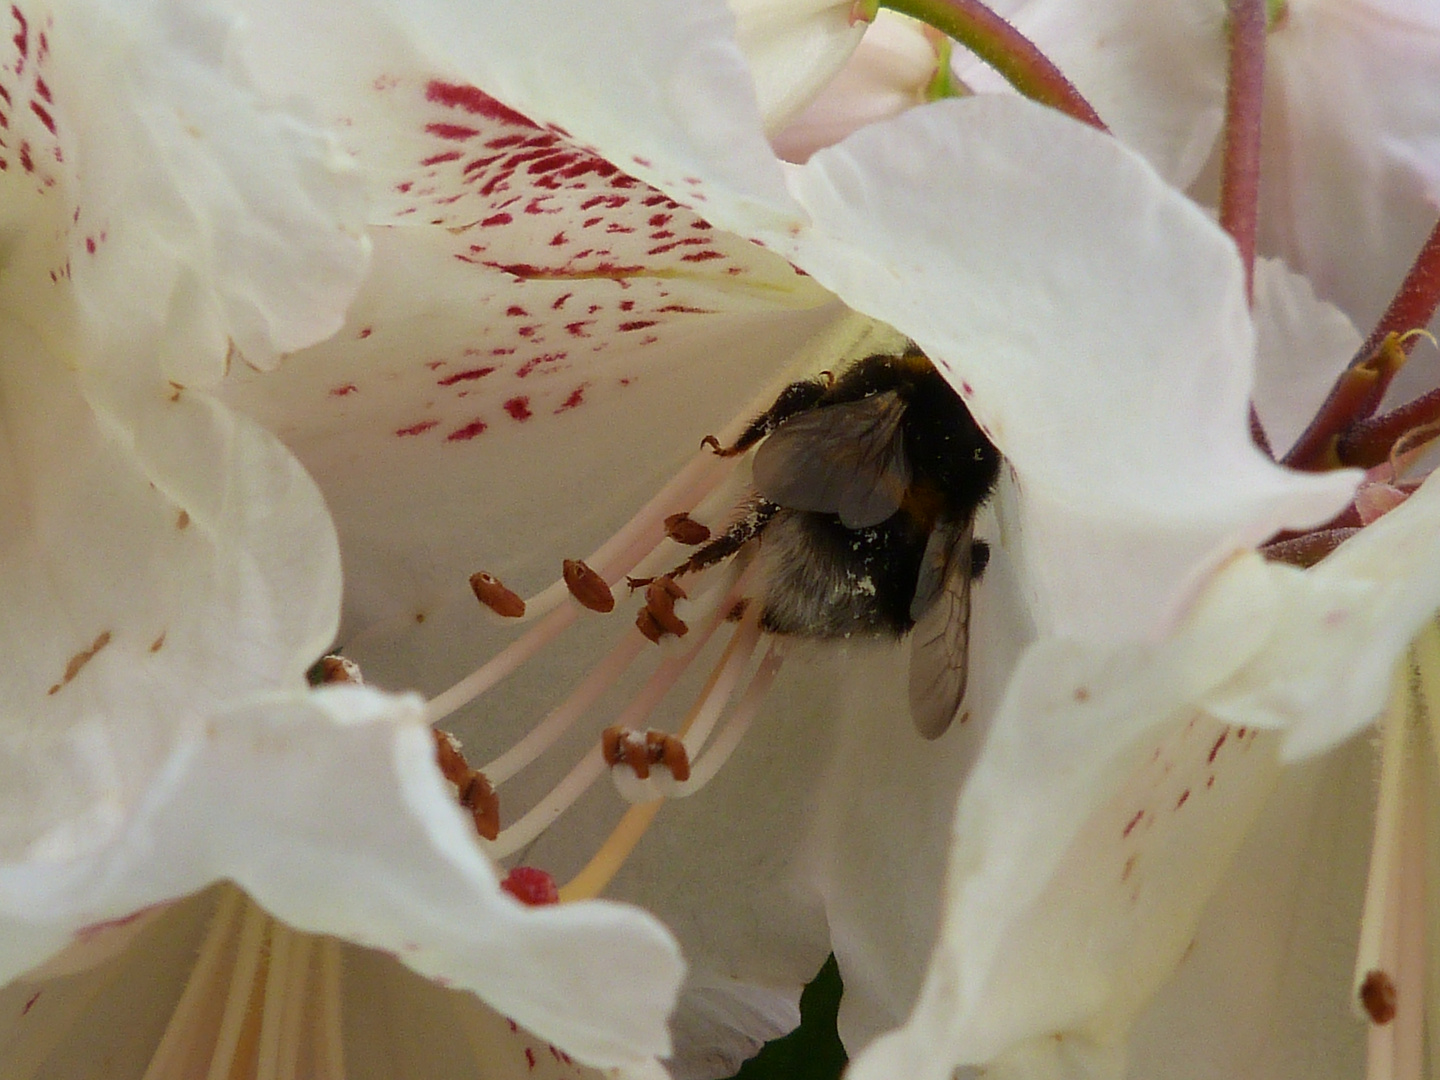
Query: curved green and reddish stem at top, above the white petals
[1000,45]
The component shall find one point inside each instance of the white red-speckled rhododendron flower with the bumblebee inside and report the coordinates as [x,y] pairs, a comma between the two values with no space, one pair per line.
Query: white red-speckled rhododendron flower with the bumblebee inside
[549,333]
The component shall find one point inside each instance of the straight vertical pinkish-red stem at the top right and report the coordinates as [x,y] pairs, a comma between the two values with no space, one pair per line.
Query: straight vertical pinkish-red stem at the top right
[1241,182]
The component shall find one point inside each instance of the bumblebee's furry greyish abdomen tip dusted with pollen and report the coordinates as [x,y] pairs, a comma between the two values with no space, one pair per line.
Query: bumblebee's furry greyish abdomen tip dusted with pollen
[826,581]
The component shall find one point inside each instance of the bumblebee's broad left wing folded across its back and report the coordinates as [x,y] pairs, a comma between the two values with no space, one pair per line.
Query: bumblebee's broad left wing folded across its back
[845,460]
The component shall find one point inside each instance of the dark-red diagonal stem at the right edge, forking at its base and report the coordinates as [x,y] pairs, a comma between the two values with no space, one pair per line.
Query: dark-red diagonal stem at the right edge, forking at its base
[1360,390]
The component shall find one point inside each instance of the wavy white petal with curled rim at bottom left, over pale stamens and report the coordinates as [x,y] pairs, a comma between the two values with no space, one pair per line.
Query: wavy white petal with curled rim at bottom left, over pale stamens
[330,811]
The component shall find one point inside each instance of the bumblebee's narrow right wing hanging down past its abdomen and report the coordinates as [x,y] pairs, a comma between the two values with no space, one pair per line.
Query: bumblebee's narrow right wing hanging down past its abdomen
[940,643]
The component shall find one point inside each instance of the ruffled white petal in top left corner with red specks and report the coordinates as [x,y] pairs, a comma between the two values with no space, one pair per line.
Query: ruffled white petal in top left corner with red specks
[185,201]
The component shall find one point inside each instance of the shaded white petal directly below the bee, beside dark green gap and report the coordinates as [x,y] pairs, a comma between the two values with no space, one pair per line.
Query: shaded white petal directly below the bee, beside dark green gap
[881,843]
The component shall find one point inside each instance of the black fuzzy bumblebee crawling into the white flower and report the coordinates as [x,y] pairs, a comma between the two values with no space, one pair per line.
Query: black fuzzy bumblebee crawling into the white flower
[863,518]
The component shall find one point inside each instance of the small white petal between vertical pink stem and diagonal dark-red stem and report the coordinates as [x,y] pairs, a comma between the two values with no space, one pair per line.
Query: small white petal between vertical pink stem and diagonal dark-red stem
[1302,343]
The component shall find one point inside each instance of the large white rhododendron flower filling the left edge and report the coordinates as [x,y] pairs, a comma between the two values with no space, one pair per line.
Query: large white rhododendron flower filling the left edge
[171,572]
